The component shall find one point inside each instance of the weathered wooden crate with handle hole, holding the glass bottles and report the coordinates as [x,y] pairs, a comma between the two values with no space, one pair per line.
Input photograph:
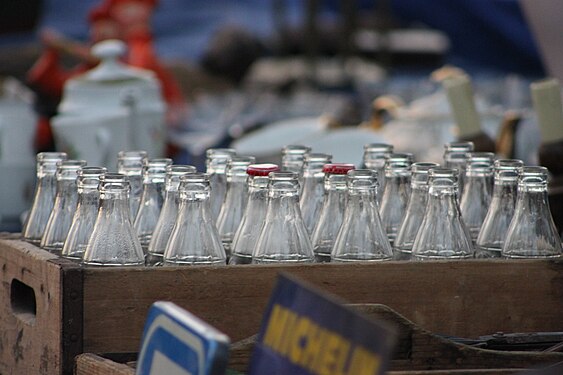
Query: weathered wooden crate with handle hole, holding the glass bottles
[53,309]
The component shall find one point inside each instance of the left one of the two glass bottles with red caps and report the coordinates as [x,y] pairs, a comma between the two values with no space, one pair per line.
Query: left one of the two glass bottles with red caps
[249,229]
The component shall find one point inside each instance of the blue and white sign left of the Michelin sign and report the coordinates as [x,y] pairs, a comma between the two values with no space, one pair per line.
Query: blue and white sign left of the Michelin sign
[176,342]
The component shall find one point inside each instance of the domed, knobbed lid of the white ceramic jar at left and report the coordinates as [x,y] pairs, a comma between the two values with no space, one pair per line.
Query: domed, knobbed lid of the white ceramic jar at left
[111,86]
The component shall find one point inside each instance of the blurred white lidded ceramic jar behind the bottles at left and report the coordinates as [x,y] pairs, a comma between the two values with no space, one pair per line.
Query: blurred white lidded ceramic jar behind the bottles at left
[110,108]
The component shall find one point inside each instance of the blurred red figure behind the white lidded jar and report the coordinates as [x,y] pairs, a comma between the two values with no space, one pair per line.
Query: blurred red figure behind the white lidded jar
[128,20]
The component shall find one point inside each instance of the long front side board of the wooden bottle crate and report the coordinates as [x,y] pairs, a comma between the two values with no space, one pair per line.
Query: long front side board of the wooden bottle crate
[464,298]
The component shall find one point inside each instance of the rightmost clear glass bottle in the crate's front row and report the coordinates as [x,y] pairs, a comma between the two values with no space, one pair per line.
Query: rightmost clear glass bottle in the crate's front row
[532,232]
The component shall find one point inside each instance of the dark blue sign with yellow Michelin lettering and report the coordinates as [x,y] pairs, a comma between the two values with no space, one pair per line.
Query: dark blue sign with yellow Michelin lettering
[308,332]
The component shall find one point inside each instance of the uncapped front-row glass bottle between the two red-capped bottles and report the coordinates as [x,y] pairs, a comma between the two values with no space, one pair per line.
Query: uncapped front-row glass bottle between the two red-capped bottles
[283,237]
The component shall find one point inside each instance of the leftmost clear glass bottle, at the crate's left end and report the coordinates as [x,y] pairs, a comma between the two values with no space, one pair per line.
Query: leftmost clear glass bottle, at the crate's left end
[44,198]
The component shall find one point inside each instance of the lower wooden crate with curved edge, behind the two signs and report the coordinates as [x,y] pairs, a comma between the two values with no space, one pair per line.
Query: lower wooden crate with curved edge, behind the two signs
[417,352]
